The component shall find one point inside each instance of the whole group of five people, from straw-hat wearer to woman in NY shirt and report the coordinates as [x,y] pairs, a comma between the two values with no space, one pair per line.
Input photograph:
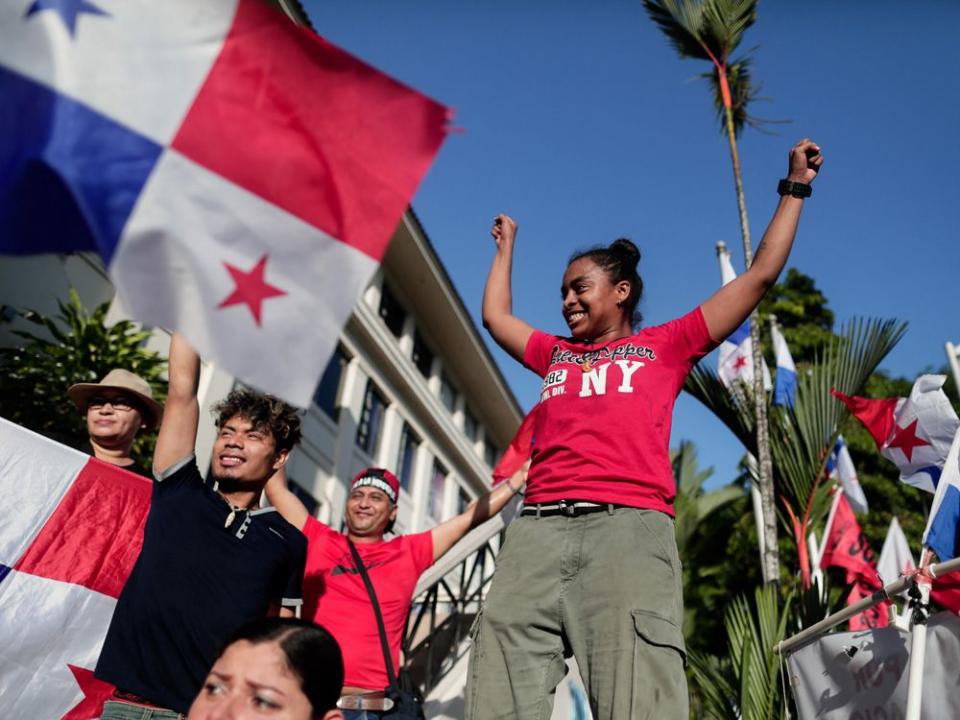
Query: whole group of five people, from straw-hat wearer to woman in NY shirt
[207,626]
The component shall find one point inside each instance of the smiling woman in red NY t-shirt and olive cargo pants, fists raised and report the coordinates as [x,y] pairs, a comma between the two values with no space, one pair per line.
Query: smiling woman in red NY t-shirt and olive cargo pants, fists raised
[590,568]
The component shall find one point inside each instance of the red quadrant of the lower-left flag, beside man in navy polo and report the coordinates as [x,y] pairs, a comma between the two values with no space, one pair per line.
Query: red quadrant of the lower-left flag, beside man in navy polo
[94,536]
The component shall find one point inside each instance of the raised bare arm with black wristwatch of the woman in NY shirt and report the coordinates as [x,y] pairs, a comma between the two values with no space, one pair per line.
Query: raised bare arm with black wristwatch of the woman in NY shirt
[726,310]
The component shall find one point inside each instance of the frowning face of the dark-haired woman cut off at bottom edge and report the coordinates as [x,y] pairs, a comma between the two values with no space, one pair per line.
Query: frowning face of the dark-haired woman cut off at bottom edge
[251,681]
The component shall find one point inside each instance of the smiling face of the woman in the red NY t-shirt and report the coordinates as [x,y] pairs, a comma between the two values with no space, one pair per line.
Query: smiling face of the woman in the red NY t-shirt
[590,300]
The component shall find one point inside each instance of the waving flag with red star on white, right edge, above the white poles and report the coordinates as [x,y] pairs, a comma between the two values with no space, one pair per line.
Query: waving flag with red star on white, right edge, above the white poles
[915,432]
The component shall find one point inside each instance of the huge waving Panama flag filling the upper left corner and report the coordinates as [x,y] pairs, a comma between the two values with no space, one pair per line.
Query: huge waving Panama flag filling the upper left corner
[240,177]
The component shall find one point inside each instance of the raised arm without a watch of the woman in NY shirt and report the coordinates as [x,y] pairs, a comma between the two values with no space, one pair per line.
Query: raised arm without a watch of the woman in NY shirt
[510,332]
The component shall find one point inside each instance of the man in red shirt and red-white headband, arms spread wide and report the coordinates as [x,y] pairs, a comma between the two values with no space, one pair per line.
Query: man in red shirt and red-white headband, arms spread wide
[333,589]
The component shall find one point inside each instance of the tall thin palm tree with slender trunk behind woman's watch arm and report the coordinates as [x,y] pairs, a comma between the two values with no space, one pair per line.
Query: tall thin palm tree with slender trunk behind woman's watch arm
[711,30]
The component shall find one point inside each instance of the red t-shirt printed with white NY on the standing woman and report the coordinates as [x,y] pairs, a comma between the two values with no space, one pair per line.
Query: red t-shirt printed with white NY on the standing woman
[603,425]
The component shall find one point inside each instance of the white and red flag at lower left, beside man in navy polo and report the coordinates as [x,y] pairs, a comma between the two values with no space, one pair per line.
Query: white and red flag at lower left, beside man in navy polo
[72,529]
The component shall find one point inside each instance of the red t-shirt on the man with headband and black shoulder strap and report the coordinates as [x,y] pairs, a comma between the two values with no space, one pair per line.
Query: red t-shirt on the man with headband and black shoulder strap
[335,596]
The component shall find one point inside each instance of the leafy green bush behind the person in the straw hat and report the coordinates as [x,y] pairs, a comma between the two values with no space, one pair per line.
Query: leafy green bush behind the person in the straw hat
[73,347]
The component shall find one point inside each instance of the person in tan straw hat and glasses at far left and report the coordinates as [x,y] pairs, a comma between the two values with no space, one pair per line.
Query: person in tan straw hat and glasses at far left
[117,408]
